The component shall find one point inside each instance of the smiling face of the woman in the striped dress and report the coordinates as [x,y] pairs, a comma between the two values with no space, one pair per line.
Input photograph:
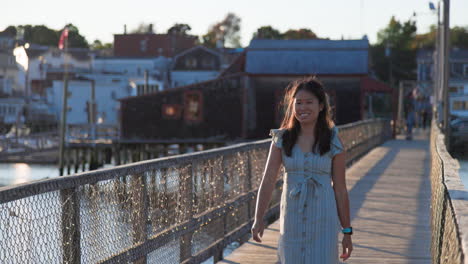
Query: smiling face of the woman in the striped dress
[306,107]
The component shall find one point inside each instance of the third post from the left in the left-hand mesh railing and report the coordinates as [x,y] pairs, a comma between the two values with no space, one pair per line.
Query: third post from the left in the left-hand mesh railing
[186,209]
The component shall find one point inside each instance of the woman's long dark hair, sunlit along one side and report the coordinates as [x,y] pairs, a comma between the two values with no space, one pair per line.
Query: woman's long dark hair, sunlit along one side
[324,123]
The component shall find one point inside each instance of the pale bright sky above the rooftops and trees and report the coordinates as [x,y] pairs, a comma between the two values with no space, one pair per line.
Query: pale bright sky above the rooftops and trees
[334,19]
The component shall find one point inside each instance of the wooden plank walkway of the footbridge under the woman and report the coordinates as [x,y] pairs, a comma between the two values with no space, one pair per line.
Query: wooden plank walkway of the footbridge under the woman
[390,193]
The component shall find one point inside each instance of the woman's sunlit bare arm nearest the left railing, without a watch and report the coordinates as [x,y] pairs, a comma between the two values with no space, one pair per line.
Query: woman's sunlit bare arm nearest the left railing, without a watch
[270,176]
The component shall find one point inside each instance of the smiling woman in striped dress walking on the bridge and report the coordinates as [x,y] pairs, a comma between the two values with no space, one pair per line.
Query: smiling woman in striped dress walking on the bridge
[314,199]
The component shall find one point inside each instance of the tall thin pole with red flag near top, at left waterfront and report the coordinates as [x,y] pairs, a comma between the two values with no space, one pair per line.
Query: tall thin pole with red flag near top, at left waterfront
[64,111]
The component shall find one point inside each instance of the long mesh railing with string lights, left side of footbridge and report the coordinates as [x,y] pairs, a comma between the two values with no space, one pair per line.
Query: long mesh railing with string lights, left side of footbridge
[180,209]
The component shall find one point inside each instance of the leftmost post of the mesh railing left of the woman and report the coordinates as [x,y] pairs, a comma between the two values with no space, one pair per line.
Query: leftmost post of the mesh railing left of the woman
[70,226]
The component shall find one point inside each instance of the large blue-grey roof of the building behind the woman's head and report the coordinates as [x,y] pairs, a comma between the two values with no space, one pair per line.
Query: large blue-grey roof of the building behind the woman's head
[303,57]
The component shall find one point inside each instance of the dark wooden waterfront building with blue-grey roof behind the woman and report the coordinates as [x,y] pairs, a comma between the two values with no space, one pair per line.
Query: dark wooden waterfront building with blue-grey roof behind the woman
[245,101]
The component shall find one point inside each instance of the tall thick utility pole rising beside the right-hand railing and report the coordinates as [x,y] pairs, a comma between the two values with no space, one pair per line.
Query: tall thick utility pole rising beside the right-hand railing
[446,76]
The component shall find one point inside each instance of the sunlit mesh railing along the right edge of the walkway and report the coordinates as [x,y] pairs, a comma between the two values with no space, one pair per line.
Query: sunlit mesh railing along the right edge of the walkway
[449,204]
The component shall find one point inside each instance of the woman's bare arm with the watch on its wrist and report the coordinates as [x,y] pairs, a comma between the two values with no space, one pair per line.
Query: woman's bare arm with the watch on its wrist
[342,200]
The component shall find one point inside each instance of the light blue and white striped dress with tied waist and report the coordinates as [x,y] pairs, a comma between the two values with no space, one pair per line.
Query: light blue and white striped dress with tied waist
[309,223]
